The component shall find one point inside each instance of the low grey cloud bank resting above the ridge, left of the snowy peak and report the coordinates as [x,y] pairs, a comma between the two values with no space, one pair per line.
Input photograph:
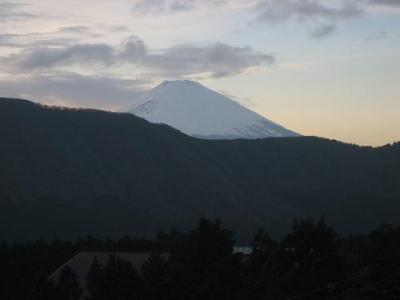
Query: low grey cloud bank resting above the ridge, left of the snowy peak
[74,90]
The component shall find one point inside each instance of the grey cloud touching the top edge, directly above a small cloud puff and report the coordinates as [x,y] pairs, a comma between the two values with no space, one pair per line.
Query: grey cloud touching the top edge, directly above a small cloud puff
[276,11]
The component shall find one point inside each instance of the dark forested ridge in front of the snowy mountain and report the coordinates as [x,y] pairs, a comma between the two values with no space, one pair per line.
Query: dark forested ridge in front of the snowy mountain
[66,173]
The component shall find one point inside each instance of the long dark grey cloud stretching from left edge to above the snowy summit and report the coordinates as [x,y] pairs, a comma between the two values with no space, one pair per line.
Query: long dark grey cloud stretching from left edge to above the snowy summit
[215,60]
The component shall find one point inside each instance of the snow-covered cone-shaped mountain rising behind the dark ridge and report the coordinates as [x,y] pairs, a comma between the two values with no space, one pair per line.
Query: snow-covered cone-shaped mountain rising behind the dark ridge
[198,111]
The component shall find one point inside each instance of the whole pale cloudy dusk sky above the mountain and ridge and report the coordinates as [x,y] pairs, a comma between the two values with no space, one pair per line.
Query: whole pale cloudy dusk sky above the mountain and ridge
[328,68]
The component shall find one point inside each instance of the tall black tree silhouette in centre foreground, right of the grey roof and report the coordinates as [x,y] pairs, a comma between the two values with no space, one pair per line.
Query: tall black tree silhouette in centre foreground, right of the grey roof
[205,265]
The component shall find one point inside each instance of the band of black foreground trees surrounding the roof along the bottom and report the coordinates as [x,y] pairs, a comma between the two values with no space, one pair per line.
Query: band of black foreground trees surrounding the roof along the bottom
[311,262]
